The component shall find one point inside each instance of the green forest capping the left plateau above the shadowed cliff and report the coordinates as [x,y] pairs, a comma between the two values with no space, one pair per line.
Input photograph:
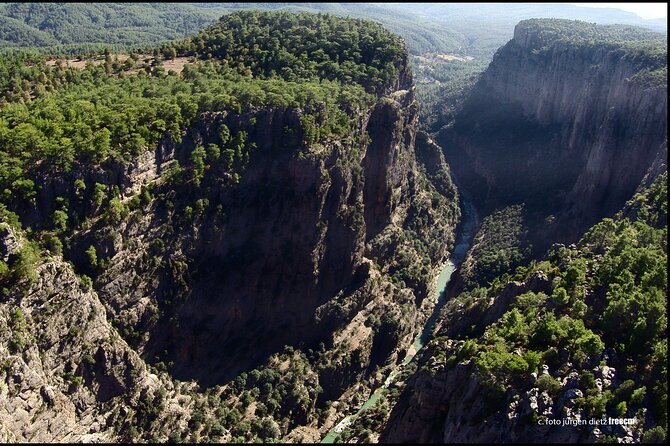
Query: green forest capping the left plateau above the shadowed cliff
[56,121]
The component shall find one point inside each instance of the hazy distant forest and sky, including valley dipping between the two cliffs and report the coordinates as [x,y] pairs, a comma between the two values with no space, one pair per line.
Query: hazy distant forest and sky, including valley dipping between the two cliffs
[427,29]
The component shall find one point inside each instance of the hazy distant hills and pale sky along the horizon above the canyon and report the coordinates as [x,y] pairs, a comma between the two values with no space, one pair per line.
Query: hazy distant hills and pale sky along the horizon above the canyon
[426,27]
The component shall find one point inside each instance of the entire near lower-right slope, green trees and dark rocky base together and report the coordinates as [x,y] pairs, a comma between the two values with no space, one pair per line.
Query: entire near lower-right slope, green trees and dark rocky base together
[556,352]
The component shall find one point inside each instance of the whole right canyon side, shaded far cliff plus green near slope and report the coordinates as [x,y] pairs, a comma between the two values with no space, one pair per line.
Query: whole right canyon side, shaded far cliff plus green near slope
[571,121]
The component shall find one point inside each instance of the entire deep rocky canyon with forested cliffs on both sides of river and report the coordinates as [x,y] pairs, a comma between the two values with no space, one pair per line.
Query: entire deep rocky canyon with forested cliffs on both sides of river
[261,267]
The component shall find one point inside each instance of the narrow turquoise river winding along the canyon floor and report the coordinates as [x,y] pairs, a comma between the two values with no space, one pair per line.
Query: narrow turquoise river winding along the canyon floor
[468,226]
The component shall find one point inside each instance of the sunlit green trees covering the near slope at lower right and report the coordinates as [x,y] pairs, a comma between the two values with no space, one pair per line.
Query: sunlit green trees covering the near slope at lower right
[595,310]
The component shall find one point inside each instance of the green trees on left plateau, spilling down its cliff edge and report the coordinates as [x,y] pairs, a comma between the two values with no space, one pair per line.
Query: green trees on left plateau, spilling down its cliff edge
[70,136]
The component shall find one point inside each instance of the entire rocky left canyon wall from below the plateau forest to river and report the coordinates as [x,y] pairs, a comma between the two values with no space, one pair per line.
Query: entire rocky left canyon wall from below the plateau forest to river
[328,245]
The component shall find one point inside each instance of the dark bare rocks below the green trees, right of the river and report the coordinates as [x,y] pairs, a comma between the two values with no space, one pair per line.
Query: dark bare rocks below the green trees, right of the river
[446,401]
